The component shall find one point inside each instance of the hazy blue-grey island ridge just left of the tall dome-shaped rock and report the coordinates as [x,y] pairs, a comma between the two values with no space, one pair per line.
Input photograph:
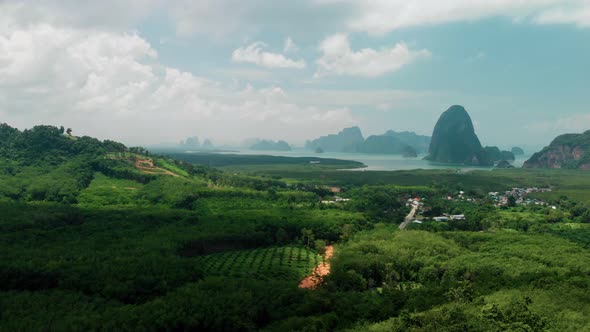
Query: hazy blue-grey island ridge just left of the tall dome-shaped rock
[351,140]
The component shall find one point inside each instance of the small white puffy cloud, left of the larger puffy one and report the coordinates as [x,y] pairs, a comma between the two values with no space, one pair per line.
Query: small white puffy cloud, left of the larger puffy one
[255,54]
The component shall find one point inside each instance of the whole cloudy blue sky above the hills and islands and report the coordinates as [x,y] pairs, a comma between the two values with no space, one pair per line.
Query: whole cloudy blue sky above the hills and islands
[152,71]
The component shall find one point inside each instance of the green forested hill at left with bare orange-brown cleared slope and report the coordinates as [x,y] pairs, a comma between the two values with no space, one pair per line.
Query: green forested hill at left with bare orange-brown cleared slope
[47,163]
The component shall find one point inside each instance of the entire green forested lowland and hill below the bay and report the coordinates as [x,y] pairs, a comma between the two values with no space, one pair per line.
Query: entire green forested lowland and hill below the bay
[98,236]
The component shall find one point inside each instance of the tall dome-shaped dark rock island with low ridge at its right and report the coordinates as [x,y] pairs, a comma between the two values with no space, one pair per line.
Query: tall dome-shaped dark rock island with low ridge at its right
[454,142]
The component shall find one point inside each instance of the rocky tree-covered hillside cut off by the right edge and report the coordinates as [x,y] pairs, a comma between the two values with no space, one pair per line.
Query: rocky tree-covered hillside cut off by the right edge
[571,151]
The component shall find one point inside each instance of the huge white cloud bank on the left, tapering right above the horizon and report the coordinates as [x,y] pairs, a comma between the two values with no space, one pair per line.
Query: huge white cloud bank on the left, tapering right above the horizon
[109,85]
